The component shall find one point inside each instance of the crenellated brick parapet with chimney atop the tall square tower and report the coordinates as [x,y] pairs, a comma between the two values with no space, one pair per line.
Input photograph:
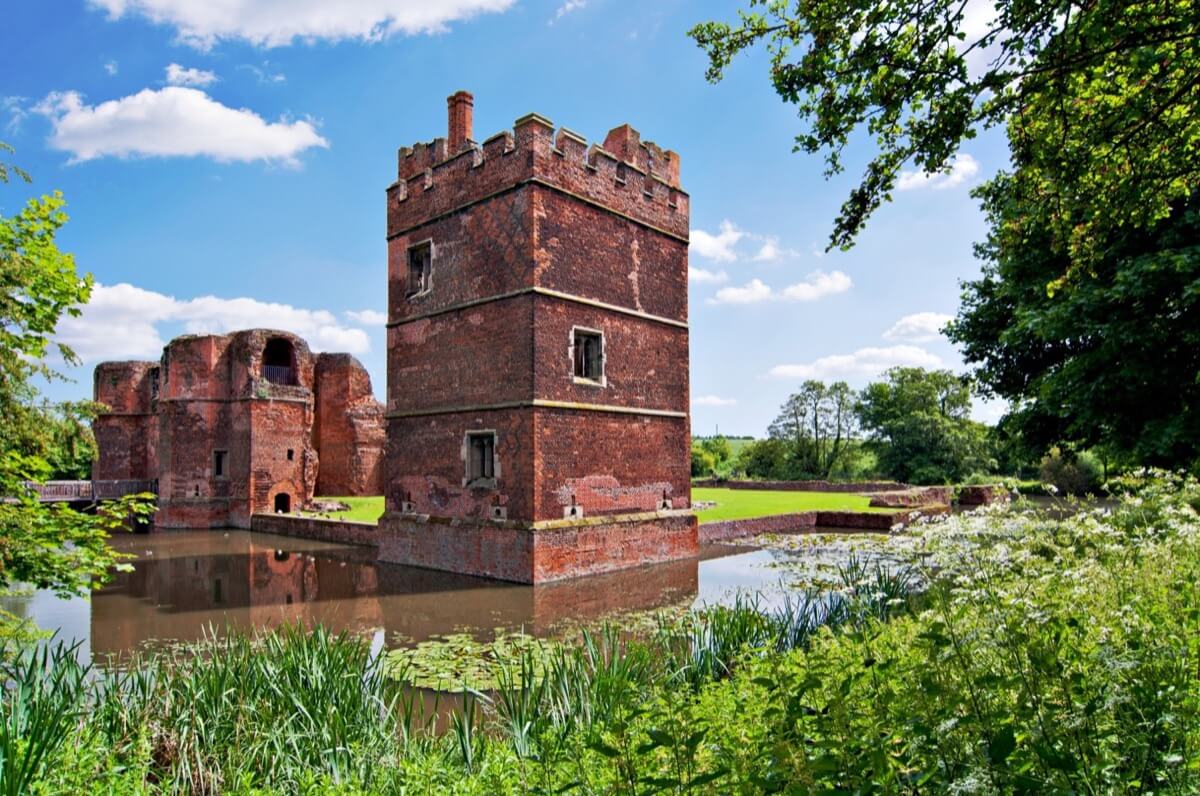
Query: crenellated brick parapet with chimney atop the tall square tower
[626,175]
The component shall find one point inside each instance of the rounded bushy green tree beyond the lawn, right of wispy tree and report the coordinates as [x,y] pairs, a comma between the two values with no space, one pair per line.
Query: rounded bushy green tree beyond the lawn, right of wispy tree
[920,423]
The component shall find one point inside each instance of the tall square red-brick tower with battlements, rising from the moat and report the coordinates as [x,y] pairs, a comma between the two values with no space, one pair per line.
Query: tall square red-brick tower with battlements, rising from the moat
[538,421]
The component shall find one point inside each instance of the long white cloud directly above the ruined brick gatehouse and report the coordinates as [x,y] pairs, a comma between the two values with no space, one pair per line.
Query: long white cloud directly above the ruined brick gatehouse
[123,321]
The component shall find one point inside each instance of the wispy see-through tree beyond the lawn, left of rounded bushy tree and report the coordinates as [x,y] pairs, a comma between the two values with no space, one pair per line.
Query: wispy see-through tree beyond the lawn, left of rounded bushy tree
[818,424]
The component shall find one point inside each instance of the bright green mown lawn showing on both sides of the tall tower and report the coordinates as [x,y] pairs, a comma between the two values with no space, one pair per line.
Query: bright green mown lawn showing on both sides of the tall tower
[731,505]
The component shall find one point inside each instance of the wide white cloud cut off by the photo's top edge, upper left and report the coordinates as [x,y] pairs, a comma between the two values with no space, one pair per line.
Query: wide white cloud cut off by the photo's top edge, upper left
[278,23]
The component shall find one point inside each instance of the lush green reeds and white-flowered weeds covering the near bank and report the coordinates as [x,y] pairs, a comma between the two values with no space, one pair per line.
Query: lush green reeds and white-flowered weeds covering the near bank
[1043,656]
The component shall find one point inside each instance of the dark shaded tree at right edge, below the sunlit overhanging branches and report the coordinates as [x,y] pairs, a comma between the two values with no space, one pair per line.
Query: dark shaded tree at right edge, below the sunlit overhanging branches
[1108,360]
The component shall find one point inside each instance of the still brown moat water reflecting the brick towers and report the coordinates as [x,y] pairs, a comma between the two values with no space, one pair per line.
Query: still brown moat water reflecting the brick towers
[188,584]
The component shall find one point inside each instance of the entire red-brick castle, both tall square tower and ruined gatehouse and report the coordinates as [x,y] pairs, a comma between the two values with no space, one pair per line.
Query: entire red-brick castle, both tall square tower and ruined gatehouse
[538,400]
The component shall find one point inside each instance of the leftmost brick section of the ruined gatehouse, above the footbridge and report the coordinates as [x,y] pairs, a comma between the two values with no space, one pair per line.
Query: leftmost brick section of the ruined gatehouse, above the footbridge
[128,434]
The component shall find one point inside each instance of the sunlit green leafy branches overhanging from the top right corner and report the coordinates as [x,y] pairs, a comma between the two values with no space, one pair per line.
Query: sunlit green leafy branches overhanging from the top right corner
[1107,93]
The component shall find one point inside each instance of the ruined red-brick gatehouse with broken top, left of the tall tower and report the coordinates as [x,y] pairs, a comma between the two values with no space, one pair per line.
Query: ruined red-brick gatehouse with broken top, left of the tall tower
[232,426]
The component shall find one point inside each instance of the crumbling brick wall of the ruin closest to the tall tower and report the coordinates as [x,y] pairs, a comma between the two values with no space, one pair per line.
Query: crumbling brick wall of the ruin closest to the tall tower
[350,433]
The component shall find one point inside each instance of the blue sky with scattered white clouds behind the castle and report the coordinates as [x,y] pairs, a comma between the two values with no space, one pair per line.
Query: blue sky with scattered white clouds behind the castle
[225,169]
